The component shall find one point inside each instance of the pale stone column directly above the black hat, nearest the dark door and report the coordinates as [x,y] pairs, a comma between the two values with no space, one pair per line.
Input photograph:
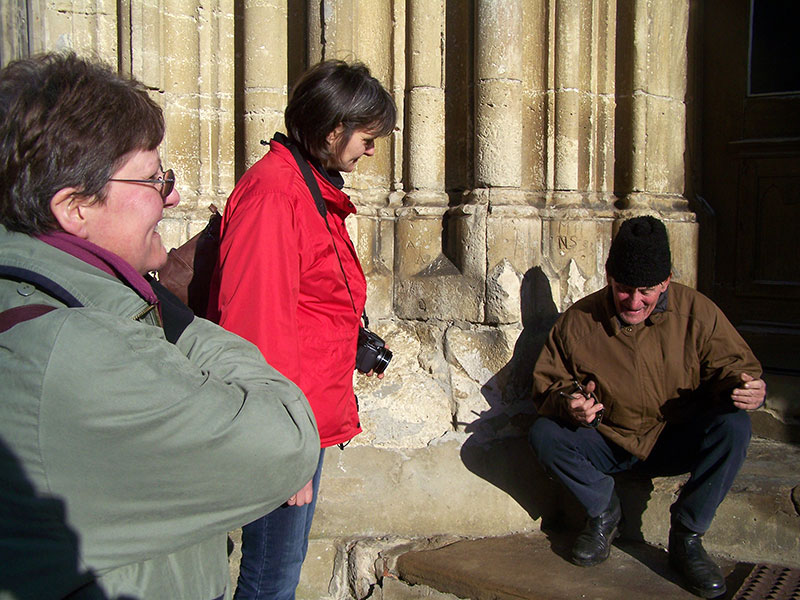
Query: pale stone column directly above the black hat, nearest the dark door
[651,121]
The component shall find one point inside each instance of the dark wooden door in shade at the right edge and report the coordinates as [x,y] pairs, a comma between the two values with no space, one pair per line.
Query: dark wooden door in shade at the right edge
[750,118]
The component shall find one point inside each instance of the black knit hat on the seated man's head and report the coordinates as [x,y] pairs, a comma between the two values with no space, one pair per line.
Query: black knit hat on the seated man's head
[639,255]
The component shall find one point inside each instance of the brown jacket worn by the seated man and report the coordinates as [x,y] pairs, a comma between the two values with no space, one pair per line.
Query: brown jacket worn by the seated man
[684,359]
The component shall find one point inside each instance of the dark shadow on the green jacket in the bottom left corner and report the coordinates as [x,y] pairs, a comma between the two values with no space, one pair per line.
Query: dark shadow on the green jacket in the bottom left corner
[38,550]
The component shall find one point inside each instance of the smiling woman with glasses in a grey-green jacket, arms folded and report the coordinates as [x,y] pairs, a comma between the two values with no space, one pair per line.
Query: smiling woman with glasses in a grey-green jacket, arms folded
[132,436]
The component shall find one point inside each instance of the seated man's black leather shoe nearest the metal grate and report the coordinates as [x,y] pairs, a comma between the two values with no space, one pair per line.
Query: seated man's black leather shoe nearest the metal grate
[688,557]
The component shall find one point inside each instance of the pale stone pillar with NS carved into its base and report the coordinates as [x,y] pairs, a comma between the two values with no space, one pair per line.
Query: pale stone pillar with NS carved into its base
[581,148]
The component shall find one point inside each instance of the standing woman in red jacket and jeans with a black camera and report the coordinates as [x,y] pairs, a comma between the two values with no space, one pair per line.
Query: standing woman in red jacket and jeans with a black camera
[289,280]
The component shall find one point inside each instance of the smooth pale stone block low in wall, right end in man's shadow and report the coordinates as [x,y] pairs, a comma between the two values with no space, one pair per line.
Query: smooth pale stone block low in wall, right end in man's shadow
[432,490]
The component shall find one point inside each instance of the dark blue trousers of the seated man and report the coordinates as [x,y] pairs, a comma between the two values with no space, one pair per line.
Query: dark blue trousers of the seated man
[712,448]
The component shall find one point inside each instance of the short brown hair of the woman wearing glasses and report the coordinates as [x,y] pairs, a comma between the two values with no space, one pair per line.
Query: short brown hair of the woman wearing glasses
[66,122]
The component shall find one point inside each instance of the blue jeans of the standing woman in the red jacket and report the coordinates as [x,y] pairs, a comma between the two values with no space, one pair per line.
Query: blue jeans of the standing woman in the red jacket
[273,550]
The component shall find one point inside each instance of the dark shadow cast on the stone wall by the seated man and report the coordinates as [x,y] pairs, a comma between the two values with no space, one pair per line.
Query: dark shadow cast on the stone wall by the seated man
[497,449]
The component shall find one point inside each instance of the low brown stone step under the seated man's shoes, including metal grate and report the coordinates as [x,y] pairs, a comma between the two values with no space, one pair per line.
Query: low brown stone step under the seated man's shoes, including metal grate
[535,567]
